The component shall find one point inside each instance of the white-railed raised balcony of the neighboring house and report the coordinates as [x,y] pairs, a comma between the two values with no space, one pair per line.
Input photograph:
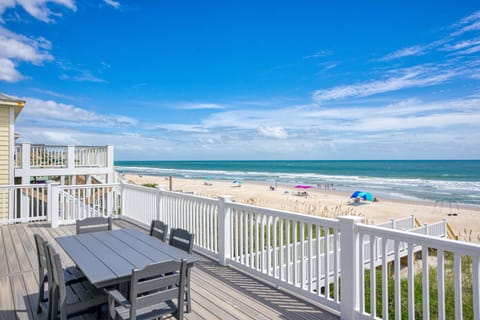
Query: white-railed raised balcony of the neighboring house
[48,160]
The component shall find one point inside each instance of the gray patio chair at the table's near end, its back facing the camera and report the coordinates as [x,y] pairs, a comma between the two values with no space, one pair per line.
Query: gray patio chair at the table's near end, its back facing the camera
[153,290]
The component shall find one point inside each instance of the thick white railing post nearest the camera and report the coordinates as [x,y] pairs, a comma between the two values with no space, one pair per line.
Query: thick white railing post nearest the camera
[349,264]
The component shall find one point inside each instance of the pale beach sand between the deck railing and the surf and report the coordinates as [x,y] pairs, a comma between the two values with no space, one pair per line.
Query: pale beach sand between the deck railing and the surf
[325,203]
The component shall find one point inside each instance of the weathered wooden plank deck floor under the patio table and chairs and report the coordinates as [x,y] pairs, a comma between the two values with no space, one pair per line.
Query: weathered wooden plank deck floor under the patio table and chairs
[217,292]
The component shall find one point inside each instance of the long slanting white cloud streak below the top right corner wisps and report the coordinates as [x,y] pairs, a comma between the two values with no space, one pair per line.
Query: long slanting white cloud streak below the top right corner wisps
[409,78]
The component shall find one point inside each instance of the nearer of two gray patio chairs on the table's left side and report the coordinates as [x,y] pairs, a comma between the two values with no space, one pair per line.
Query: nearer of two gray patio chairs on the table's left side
[73,300]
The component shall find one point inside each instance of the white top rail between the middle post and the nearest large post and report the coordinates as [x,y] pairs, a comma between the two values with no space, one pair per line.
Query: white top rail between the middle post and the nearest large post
[333,223]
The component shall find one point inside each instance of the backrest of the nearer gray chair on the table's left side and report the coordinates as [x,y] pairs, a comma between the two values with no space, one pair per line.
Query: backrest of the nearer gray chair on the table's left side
[56,280]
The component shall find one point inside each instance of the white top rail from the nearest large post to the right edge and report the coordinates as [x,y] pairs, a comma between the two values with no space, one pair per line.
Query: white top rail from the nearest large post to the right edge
[421,239]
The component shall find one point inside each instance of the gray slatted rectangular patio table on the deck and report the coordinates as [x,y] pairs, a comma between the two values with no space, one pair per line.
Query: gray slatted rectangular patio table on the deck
[108,257]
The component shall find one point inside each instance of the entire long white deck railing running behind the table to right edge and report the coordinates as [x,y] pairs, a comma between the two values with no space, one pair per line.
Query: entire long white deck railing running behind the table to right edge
[338,263]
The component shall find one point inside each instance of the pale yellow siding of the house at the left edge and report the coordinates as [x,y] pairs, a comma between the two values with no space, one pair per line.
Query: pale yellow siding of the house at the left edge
[4,156]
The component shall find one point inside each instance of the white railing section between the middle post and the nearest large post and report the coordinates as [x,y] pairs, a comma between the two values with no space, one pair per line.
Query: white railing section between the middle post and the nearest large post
[295,251]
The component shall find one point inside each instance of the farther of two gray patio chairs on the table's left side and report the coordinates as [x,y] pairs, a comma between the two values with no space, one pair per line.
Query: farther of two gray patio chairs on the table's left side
[71,274]
